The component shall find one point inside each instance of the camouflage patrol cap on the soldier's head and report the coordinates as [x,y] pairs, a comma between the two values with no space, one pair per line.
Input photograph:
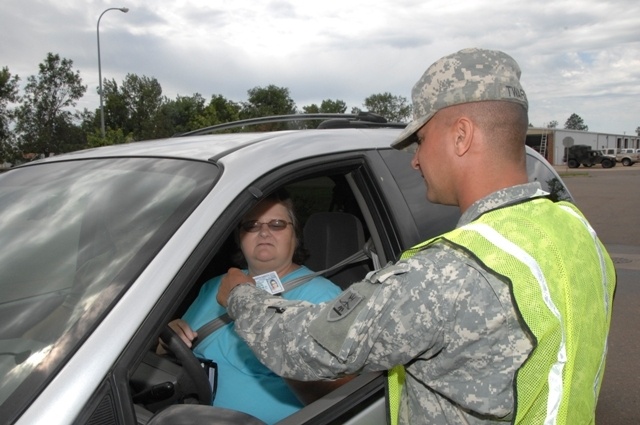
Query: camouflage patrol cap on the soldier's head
[470,75]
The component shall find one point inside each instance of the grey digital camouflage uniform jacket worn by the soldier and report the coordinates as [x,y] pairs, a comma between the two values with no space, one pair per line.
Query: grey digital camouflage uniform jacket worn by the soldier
[439,312]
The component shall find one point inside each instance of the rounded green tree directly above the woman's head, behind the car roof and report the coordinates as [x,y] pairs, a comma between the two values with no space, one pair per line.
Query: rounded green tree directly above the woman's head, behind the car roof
[268,101]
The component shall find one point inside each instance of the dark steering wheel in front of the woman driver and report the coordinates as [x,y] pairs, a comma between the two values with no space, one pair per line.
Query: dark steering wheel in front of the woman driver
[190,363]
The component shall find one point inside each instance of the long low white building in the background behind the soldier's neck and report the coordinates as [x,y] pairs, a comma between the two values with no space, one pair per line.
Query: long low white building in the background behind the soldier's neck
[552,142]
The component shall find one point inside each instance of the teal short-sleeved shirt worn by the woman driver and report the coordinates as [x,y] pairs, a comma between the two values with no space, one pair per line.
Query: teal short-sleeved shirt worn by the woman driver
[244,383]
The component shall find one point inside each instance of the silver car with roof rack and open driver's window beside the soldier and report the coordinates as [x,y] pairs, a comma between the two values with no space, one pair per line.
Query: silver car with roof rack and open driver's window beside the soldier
[102,248]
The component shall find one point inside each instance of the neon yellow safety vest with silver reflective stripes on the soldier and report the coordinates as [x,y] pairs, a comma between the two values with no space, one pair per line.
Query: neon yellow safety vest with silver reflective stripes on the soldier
[562,281]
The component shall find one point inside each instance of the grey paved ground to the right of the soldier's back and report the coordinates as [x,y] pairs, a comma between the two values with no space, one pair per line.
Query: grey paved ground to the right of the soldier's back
[610,199]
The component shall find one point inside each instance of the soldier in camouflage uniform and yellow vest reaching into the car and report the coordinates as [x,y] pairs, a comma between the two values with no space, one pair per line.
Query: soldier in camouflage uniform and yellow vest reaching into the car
[503,319]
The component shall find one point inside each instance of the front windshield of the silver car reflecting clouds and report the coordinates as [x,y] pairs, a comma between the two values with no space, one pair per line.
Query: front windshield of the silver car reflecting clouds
[74,236]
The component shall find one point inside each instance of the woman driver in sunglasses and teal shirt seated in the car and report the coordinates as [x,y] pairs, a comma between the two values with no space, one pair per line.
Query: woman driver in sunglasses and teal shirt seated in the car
[268,239]
